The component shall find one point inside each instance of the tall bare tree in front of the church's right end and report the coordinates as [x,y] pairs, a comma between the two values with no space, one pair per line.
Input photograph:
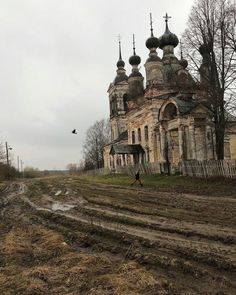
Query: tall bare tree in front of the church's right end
[211,34]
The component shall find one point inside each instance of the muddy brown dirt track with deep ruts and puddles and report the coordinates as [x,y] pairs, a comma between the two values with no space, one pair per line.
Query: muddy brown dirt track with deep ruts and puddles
[184,243]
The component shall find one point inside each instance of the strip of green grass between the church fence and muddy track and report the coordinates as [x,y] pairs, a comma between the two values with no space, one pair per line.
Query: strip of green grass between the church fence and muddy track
[176,183]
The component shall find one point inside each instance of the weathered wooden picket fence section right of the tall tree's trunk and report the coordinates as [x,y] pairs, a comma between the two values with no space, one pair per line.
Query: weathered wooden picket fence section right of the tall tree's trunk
[209,168]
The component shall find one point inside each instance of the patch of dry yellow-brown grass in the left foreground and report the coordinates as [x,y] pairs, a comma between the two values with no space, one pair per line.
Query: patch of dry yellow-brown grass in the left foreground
[37,261]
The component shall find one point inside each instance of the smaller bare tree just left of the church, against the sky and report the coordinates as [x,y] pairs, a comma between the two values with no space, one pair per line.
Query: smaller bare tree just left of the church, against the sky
[97,136]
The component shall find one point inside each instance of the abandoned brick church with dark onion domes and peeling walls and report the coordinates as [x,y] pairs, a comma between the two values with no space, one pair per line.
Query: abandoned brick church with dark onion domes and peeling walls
[168,119]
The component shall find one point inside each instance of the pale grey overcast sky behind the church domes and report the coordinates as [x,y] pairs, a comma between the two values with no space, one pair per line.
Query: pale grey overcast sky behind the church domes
[57,58]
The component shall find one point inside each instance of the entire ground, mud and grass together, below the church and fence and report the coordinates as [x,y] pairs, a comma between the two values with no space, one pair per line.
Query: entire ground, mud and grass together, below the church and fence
[85,235]
